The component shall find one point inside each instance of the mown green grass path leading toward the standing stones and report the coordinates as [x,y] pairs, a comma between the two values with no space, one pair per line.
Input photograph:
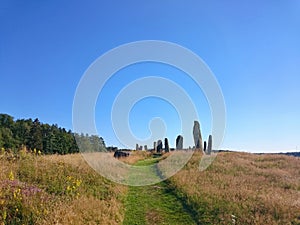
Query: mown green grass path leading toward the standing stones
[155,204]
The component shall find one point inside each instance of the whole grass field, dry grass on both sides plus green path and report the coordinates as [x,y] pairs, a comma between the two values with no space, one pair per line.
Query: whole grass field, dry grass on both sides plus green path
[238,188]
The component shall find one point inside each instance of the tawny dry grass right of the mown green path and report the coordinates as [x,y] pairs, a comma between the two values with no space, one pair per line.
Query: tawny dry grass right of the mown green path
[243,188]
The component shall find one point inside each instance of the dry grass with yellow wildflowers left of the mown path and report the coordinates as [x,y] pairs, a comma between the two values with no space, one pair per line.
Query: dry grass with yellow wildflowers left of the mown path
[75,193]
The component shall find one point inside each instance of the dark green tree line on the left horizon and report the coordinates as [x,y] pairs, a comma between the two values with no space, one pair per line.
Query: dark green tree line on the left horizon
[49,139]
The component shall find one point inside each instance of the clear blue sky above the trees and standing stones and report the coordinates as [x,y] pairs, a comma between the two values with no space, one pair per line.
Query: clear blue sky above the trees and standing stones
[252,48]
